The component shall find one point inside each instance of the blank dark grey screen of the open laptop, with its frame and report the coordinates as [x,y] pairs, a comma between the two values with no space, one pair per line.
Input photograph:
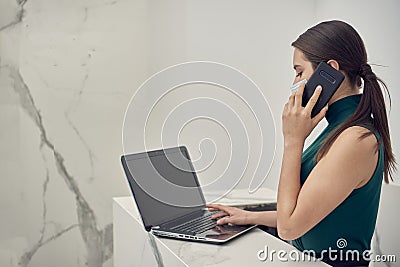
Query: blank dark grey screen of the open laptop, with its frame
[164,184]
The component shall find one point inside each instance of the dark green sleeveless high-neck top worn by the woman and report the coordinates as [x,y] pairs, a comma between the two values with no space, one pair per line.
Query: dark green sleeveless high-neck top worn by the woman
[354,219]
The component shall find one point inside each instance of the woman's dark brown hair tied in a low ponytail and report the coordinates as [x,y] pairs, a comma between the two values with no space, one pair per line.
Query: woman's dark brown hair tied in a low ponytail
[339,41]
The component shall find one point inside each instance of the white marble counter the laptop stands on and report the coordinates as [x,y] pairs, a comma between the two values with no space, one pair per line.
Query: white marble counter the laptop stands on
[133,246]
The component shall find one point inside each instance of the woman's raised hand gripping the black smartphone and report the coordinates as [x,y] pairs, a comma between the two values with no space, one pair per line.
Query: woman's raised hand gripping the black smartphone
[297,123]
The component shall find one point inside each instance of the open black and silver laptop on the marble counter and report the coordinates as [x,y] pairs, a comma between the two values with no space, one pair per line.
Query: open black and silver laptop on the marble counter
[169,198]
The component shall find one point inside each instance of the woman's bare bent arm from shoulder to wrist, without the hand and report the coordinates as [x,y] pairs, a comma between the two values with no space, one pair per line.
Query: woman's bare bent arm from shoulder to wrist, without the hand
[349,164]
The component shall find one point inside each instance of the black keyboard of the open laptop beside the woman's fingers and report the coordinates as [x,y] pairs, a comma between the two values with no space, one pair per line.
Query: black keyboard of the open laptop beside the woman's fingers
[198,225]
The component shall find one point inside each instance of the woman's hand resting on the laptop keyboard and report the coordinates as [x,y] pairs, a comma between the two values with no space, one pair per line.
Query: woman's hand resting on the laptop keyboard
[236,216]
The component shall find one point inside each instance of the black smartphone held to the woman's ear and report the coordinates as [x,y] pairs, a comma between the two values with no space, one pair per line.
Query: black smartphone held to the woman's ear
[330,80]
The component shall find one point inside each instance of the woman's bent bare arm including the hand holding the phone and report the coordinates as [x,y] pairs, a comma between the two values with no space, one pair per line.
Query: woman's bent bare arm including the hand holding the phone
[349,163]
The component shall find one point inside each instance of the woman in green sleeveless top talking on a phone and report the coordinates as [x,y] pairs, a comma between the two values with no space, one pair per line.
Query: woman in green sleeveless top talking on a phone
[330,192]
